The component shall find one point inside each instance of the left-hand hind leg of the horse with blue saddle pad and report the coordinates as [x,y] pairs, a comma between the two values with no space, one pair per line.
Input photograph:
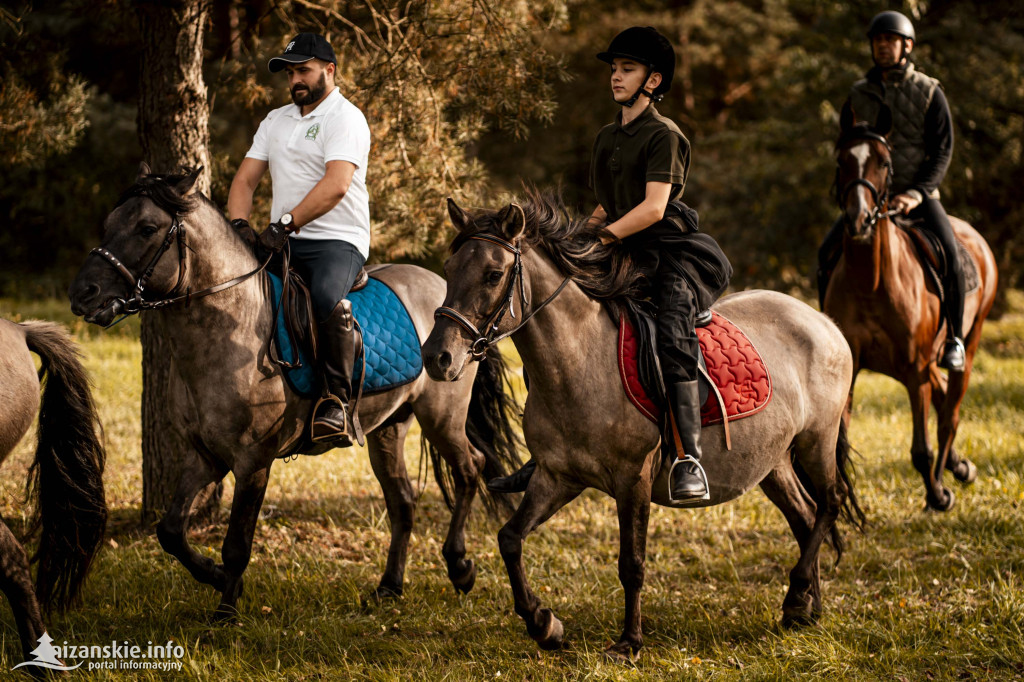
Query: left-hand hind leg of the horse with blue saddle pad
[387,447]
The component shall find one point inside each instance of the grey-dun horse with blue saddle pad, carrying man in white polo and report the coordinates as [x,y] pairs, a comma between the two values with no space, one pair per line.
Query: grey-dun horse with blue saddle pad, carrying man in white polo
[240,412]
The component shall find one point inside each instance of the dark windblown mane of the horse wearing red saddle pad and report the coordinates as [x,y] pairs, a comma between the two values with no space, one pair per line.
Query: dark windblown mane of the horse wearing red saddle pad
[603,271]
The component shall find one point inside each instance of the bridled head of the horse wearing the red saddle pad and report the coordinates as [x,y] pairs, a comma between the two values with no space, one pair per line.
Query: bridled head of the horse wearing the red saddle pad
[485,277]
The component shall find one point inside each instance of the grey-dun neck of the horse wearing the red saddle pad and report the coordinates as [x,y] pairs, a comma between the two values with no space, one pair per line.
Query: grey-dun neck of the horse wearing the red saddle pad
[554,345]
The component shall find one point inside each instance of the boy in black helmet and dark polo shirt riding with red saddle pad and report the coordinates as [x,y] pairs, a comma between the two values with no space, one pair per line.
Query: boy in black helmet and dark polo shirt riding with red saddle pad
[638,172]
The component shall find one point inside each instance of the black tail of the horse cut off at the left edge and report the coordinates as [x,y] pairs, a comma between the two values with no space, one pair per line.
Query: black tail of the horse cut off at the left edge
[67,478]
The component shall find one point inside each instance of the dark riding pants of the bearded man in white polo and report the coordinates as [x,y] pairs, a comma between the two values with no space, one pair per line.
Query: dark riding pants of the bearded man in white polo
[328,267]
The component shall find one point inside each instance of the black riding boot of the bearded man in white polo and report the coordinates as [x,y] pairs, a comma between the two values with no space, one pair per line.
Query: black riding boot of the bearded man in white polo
[337,349]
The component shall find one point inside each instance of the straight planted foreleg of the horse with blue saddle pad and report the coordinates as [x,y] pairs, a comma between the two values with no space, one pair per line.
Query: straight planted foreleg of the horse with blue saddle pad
[250,487]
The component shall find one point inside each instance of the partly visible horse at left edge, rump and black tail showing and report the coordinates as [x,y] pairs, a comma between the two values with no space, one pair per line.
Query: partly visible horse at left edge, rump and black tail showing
[69,516]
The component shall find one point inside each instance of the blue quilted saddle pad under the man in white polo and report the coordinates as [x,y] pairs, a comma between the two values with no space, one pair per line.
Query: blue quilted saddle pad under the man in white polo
[391,345]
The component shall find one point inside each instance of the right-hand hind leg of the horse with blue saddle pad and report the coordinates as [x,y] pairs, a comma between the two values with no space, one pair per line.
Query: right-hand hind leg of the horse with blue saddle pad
[447,434]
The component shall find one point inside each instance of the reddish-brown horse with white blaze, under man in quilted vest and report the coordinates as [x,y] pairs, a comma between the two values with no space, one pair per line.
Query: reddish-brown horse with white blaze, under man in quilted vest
[890,312]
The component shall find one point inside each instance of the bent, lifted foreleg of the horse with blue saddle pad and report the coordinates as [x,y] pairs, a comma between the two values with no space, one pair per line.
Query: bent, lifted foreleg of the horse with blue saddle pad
[173,531]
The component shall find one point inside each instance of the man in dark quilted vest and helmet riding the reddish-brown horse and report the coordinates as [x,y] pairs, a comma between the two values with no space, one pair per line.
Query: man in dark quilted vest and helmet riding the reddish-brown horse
[922,141]
